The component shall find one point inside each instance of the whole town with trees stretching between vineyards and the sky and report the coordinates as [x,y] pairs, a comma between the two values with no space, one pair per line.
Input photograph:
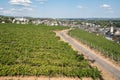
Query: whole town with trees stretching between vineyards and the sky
[108,28]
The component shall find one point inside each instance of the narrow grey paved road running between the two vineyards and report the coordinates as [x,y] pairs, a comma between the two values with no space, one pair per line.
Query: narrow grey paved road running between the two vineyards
[106,66]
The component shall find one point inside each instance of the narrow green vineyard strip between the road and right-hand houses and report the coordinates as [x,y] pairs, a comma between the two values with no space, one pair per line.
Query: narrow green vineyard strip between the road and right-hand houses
[108,48]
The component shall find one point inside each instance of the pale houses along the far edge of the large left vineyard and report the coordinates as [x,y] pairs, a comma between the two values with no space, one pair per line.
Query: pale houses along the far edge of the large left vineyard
[22,20]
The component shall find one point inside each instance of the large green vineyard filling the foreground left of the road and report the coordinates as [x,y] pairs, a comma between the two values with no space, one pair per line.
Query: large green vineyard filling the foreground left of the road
[30,50]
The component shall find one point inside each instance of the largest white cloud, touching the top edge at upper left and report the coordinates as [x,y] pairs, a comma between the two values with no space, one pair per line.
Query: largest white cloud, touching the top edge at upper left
[20,2]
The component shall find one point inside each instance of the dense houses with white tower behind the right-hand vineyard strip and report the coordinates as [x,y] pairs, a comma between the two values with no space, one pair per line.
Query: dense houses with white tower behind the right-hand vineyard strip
[111,33]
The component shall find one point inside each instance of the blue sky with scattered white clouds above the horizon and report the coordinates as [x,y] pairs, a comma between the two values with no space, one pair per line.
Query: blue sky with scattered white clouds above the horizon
[61,8]
